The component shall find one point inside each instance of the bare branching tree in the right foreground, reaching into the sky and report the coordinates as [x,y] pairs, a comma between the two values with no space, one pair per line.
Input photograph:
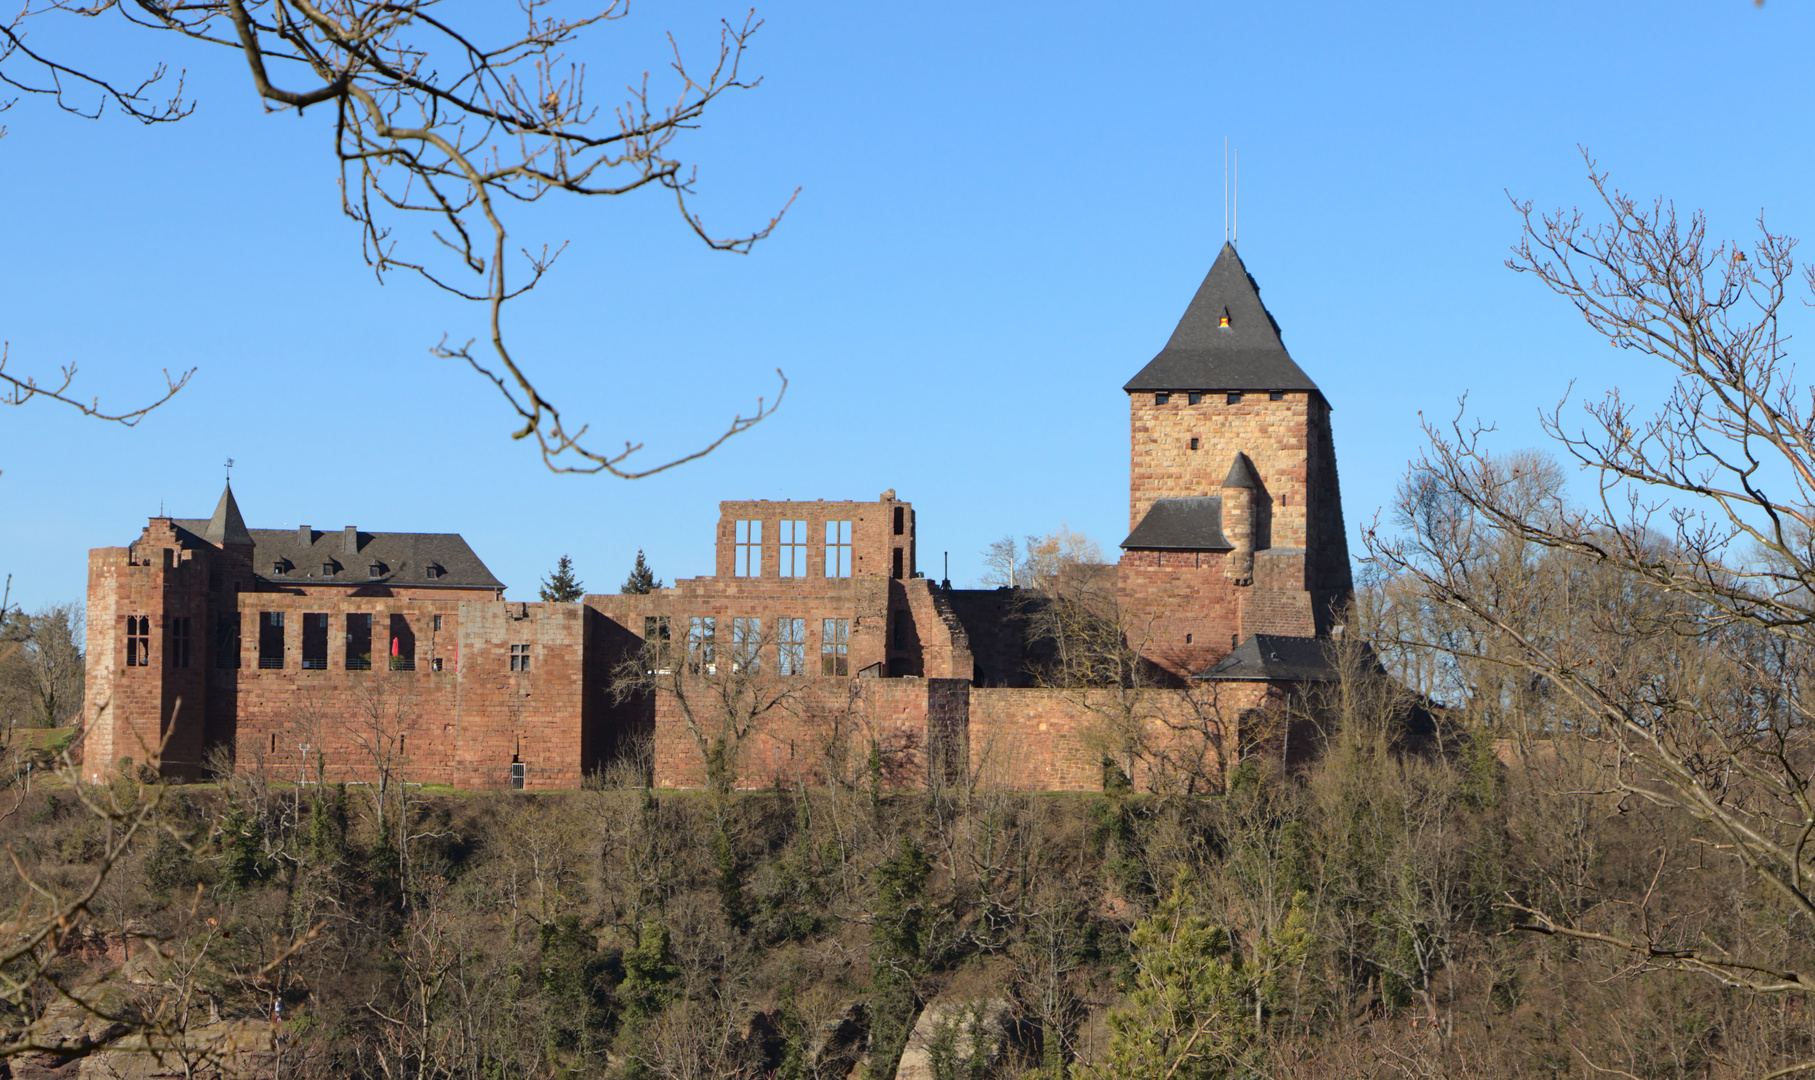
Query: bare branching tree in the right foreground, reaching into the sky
[1689,669]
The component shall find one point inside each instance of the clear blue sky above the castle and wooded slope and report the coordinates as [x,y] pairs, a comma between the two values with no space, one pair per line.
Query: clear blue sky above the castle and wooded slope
[1005,210]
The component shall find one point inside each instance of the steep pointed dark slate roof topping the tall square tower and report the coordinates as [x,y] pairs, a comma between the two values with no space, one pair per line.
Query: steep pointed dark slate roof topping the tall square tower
[1206,355]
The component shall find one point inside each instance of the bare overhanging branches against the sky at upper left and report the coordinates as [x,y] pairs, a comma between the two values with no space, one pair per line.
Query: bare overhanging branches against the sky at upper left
[440,117]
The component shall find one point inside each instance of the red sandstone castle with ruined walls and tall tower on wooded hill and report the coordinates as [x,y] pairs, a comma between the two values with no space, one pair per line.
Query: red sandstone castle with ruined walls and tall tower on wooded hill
[814,643]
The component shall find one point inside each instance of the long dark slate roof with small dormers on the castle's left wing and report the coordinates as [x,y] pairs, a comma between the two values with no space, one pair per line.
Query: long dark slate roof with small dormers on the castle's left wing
[415,560]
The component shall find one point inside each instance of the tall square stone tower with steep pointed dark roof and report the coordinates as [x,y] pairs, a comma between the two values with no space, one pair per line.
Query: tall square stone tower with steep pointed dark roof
[1235,511]
